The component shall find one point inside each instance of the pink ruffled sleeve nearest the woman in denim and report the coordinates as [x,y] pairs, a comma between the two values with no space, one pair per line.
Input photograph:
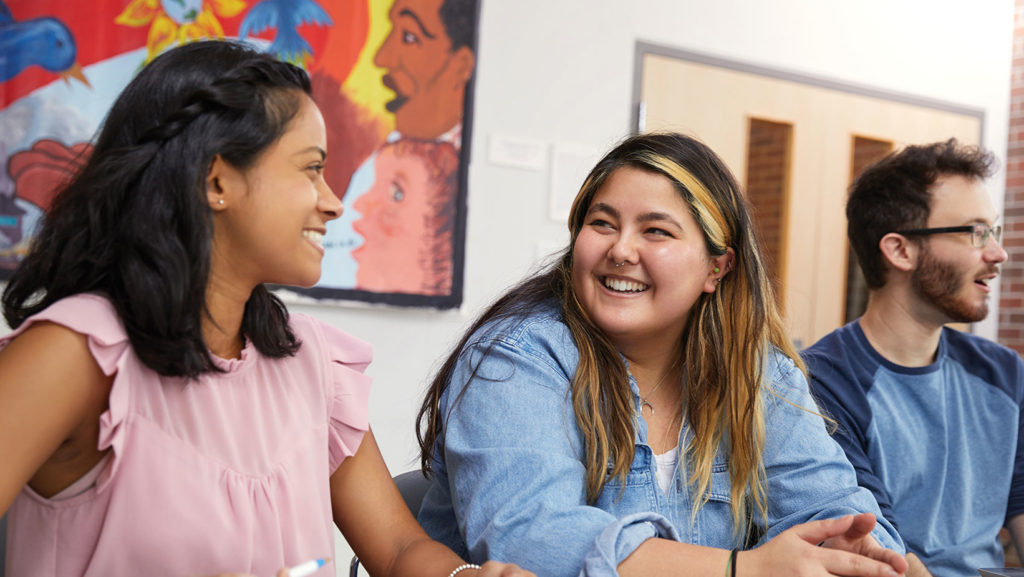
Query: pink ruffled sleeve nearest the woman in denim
[349,392]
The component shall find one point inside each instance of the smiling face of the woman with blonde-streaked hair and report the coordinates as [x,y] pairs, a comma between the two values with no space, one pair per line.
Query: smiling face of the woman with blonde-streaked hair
[638,219]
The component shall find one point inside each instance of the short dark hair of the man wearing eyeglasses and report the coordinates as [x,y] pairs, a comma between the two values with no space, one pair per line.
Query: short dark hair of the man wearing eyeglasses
[894,194]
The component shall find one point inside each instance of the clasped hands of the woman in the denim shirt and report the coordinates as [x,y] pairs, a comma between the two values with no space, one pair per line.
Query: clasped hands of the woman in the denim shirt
[848,551]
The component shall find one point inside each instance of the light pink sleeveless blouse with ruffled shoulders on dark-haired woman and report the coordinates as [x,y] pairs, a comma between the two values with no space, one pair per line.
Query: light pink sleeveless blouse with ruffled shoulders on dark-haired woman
[226,474]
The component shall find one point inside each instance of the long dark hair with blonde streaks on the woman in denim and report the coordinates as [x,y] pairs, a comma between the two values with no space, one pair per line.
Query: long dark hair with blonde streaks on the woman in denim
[729,336]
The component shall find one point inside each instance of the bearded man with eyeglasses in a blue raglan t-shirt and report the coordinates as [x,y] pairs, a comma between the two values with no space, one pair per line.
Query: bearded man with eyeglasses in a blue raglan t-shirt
[929,417]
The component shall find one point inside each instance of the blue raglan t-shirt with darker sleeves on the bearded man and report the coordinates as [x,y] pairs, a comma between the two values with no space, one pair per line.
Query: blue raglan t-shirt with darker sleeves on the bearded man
[940,446]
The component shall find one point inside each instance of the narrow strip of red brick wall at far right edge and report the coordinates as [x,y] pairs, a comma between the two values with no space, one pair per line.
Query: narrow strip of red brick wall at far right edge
[1012,287]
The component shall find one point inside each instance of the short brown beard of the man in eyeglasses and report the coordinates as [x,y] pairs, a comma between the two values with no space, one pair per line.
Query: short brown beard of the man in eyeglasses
[940,283]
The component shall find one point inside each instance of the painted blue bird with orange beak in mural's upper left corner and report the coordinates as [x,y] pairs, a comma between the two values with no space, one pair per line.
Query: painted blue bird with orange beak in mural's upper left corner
[46,43]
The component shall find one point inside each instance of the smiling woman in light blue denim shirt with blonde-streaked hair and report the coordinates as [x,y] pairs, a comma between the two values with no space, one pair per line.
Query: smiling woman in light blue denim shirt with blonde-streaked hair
[637,408]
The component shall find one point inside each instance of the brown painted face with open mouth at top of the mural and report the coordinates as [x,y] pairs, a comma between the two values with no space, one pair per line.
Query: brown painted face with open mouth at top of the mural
[428,76]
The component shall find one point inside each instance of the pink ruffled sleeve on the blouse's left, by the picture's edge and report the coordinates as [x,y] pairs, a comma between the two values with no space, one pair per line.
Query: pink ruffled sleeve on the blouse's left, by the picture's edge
[96,318]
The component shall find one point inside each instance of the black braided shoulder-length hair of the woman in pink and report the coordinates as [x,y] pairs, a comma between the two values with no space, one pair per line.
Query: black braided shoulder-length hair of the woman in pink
[135,224]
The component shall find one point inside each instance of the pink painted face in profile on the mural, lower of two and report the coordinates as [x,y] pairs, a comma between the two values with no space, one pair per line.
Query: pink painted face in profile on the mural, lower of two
[407,221]
